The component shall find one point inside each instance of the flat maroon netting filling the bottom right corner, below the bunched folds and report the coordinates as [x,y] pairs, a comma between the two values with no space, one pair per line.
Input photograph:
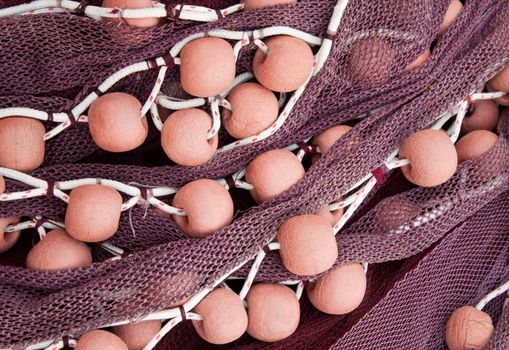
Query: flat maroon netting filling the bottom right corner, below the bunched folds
[409,301]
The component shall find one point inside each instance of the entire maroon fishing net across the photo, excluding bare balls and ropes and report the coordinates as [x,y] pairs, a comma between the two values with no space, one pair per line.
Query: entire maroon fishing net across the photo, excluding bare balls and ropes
[61,58]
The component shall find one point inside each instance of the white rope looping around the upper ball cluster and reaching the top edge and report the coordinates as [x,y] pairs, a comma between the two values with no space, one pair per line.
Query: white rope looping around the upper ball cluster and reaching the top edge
[74,116]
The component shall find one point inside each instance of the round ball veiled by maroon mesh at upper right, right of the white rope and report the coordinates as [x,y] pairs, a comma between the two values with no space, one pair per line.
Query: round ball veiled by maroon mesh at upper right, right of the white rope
[370,61]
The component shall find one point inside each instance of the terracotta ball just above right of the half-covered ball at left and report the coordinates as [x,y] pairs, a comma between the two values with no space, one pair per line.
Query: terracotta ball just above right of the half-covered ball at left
[93,213]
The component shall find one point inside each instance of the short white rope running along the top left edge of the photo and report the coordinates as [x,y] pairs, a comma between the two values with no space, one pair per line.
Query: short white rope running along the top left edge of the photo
[158,10]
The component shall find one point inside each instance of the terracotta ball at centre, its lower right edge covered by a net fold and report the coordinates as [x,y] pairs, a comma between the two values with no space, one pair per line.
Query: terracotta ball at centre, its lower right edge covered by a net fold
[272,173]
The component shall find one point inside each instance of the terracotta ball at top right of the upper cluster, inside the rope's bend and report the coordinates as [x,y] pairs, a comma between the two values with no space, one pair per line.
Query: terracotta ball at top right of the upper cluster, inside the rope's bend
[286,66]
